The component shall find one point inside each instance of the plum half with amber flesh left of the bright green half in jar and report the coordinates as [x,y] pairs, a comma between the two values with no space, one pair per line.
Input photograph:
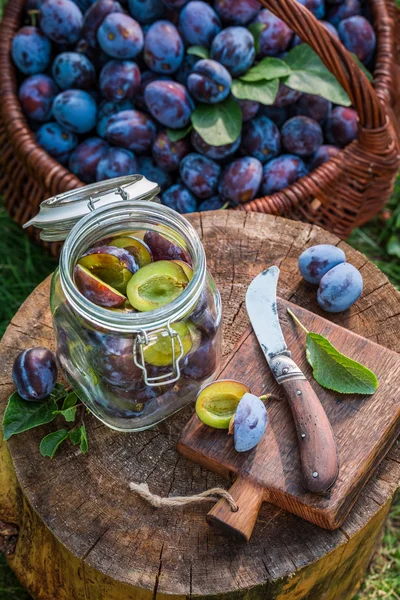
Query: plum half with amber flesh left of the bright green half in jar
[115,266]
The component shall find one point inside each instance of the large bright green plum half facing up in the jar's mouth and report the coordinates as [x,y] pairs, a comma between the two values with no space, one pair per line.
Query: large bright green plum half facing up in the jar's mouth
[155,285]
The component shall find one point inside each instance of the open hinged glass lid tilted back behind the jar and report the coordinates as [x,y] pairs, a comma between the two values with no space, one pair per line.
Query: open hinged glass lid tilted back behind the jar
[58,215]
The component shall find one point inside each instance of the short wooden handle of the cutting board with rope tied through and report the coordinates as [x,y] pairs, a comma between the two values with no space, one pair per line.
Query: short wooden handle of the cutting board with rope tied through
[238,525]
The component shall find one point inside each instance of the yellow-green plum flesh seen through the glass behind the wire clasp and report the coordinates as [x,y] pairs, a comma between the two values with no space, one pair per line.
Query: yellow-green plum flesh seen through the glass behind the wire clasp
[159,352]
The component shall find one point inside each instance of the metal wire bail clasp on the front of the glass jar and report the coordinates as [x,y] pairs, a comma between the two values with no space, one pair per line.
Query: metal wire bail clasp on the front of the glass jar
[142,340]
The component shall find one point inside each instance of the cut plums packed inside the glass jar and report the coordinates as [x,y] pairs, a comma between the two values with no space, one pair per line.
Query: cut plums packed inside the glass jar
[137,272]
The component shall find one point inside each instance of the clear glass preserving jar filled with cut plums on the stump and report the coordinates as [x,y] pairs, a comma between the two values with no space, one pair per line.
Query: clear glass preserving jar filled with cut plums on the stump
[132,370]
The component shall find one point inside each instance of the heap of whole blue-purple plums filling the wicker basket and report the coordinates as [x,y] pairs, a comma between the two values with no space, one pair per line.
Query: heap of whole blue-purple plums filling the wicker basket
[104,80]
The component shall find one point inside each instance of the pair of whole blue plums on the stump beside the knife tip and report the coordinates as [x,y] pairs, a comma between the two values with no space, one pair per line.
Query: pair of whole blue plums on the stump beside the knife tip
[340,283]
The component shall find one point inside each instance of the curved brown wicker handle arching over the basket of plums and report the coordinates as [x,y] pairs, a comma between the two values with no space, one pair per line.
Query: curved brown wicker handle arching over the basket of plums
[339,62]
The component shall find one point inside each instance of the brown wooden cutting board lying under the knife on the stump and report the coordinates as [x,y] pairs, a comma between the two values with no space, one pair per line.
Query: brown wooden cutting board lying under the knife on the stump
[365,427]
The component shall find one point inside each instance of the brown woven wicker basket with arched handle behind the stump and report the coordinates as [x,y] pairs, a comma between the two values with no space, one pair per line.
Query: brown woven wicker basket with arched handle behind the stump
[341,194]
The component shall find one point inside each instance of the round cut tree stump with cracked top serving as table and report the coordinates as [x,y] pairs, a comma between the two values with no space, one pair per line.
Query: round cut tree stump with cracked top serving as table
[84,536]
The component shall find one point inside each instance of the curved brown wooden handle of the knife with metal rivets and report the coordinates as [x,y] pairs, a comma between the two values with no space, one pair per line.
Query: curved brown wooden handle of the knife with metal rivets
[318,450]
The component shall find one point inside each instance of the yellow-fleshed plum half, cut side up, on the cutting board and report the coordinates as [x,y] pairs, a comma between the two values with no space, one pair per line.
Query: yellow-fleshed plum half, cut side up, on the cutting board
[217,402]
